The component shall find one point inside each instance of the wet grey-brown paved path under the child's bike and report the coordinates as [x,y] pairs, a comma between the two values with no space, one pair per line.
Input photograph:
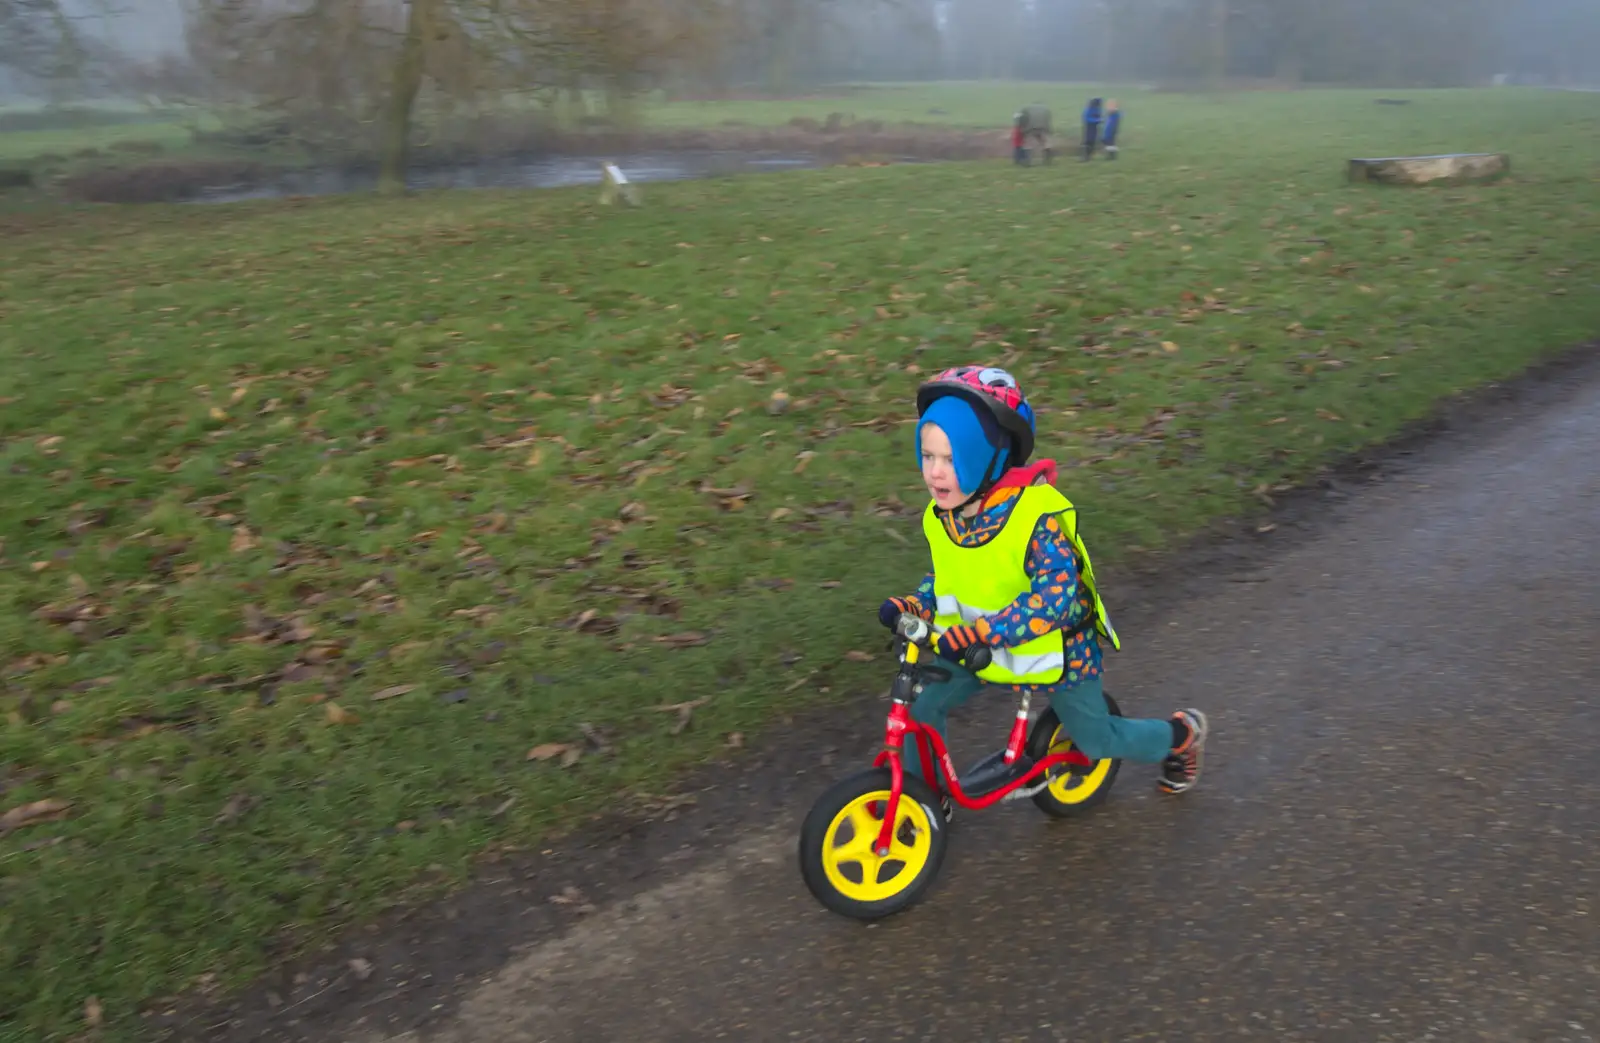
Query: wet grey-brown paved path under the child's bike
[1398,839]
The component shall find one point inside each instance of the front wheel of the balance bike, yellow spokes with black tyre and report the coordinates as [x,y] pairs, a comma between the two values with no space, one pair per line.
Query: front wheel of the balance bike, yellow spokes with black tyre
[838,857]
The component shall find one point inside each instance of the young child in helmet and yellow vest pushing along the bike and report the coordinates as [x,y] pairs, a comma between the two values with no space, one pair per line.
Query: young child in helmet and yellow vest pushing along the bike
[1010,572]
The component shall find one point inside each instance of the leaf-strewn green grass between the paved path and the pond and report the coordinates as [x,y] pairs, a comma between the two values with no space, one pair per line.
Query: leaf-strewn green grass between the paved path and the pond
[321,518]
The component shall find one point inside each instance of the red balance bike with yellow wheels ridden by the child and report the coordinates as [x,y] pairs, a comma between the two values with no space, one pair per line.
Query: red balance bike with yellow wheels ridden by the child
[874,842]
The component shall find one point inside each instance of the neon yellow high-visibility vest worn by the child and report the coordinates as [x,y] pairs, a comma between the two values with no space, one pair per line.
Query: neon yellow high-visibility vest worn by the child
[980,581]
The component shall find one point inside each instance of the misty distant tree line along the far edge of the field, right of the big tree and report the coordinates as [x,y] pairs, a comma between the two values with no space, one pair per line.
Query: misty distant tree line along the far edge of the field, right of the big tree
[1340,42]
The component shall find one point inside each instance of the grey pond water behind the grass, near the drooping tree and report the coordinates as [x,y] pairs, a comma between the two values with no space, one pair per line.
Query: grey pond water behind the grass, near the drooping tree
[518,174]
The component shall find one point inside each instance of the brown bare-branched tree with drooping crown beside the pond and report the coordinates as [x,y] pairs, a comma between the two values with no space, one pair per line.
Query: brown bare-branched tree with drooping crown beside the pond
[358,71]
